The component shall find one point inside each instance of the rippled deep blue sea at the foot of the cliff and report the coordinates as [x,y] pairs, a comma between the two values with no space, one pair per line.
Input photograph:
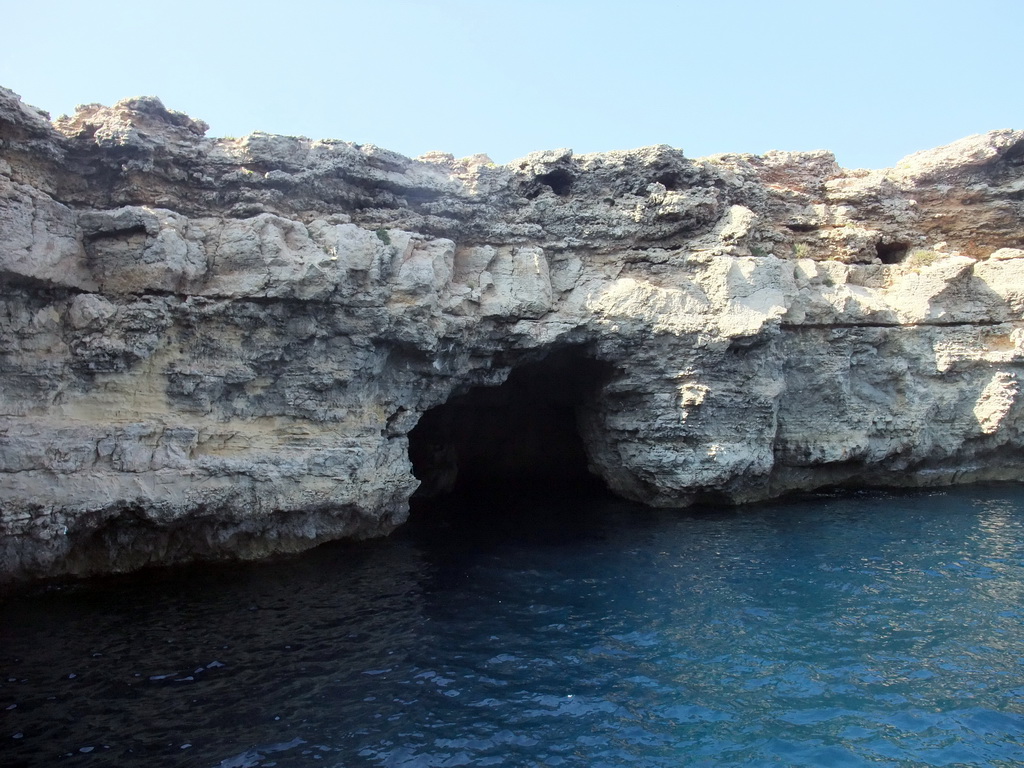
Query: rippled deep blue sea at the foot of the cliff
[872,629]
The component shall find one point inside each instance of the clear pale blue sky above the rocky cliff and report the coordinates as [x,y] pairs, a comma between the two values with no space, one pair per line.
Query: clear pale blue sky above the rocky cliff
[872,81]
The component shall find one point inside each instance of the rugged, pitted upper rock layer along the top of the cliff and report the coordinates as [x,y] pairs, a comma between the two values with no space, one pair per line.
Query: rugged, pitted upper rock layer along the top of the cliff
[139,153]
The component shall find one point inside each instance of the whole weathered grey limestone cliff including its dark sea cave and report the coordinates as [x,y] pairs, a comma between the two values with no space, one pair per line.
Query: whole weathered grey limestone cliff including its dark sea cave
[235,348]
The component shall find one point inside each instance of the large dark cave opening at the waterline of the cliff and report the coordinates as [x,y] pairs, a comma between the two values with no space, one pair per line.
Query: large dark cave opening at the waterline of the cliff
[516,441]
